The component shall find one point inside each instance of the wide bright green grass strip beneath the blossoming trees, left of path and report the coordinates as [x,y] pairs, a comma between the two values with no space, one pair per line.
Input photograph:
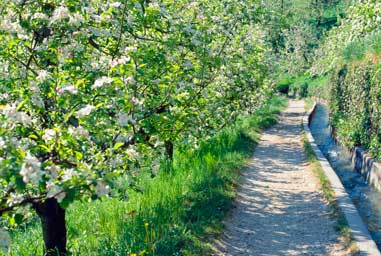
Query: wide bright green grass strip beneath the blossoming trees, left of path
[177,211]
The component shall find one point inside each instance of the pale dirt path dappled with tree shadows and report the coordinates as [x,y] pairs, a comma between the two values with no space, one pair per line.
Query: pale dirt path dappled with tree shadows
[280,210]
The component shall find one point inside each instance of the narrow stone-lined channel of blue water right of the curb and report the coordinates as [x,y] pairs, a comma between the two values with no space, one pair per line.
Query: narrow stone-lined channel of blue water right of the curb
[366,198]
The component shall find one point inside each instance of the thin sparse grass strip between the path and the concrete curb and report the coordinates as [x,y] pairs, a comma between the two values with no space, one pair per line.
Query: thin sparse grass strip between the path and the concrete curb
[328,194]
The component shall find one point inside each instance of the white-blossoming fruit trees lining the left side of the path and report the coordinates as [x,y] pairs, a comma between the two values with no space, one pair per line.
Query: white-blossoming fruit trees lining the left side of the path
[91,90]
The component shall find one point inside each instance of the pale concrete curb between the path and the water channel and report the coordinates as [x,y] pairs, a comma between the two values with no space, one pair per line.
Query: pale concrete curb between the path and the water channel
[360,232]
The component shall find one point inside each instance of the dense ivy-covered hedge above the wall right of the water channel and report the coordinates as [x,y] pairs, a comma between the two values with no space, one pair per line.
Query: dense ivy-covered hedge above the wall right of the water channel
[355,105]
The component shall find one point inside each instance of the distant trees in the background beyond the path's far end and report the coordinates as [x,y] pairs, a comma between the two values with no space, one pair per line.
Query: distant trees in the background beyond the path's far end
[295,29]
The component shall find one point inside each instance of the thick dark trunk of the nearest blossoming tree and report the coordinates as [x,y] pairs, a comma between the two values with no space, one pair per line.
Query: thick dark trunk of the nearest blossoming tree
[53,226]
